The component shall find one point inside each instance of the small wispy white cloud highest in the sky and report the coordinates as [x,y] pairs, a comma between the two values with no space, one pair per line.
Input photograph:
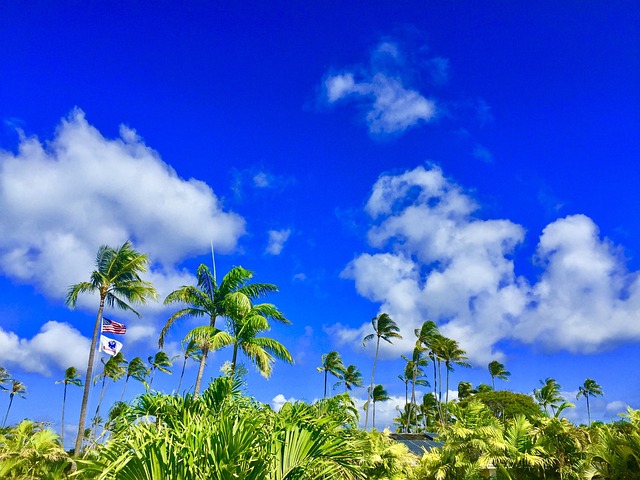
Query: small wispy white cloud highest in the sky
[391,104]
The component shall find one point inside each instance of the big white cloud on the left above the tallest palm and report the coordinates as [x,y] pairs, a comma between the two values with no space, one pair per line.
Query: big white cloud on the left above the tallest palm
[61,200]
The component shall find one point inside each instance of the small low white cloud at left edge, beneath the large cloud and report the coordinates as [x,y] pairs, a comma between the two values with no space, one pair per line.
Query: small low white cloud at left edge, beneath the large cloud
[57,344]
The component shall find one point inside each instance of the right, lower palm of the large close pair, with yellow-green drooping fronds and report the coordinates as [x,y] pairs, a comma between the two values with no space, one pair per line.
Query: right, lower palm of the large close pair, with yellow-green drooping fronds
[246,322]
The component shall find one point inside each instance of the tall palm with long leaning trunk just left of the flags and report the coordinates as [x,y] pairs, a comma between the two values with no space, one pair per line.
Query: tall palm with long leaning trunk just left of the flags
[118,283]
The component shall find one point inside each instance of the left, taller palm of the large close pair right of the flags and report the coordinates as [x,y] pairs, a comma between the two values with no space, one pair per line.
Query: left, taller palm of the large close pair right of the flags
[207,299]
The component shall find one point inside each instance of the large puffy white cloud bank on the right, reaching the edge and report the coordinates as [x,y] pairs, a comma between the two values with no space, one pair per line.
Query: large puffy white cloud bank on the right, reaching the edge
[440,261]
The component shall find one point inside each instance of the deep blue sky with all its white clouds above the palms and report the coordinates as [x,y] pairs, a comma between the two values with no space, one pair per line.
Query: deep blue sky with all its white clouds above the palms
[473,164]
